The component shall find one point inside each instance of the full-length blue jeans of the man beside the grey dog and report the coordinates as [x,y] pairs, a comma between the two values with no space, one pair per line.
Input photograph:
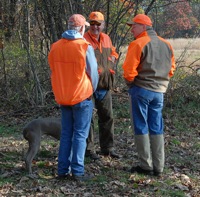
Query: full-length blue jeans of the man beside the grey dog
[75,128]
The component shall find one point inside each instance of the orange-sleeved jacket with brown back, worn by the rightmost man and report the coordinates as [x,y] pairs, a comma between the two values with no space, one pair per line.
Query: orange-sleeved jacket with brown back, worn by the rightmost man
[149,62]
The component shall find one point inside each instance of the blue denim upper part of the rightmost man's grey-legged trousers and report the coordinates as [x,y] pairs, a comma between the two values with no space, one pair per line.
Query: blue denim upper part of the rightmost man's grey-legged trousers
[146,111]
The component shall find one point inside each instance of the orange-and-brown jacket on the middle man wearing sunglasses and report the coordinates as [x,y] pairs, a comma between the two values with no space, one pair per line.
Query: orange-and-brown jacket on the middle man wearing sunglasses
[104,50]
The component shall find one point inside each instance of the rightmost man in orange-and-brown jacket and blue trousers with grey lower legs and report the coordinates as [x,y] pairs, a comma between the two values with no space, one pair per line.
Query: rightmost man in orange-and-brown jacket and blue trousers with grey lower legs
[148,66]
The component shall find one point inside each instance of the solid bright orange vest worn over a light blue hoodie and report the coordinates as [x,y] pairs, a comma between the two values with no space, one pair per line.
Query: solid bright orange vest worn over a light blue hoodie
[70,82]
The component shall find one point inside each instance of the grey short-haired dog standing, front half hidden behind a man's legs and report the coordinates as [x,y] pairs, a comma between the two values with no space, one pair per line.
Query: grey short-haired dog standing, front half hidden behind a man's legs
[33,132]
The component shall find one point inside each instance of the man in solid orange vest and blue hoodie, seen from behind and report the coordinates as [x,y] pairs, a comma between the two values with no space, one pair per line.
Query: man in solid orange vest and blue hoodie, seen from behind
[74,78]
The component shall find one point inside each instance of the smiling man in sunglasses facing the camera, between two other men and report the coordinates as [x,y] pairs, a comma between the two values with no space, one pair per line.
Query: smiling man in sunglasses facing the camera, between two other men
[106,58]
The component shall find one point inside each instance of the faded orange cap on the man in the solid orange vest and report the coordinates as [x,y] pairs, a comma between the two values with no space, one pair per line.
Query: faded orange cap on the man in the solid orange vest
[77,20]
